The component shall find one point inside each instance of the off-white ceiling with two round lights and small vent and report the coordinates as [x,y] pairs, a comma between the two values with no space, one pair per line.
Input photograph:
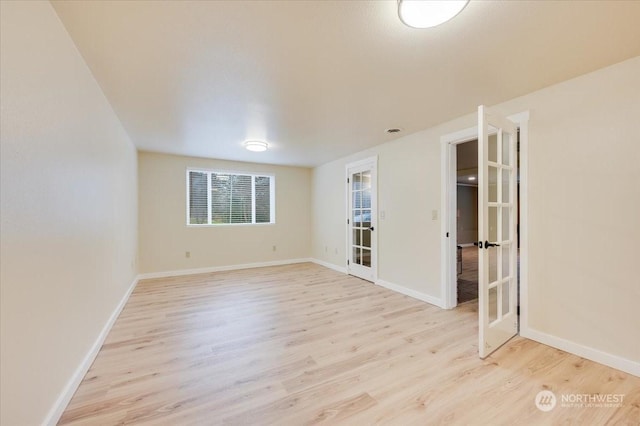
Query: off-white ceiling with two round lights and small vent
[322,79]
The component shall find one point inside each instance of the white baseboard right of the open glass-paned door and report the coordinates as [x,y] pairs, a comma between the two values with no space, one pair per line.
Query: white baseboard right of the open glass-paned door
[589,353]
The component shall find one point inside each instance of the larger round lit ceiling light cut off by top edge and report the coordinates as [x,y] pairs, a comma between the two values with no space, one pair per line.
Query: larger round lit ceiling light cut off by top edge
[428,13]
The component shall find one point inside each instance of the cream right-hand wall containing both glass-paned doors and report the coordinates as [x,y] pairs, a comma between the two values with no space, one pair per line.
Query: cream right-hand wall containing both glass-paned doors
[584,211]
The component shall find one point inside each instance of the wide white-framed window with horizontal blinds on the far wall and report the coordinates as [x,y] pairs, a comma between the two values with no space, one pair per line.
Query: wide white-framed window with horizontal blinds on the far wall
[221,198]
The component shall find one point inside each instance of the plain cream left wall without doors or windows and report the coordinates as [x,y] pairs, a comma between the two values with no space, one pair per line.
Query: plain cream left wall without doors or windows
[68,211]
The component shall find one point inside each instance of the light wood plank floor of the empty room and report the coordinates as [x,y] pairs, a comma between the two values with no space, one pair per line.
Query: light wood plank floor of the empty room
[300,344]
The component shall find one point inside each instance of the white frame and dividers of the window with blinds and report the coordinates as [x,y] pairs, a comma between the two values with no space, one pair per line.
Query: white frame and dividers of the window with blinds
[272,196]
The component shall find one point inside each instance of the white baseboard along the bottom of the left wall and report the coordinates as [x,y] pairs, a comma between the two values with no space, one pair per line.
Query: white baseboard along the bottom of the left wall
[70,388]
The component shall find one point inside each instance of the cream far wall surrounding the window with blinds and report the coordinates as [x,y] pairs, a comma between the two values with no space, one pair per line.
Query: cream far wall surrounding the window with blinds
[165,237]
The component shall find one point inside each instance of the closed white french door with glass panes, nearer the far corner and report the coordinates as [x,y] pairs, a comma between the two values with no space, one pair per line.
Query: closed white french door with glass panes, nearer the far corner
[361,219]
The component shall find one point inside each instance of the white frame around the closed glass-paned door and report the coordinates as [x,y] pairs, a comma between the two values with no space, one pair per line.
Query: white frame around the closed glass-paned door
[373,161]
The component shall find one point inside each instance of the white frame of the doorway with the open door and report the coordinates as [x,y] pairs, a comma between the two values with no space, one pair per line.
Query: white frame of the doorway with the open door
[448,142]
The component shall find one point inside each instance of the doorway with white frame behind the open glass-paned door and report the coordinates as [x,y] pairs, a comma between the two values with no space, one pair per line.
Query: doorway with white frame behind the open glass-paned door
[459,192]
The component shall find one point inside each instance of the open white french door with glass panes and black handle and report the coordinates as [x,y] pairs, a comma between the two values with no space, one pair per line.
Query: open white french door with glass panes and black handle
[497,221]
